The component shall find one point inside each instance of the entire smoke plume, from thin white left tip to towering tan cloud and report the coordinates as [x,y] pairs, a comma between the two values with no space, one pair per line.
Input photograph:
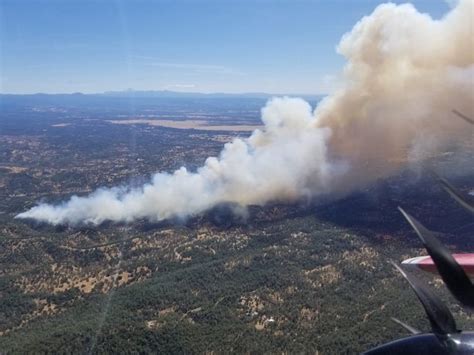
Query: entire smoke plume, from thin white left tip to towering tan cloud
[405,73]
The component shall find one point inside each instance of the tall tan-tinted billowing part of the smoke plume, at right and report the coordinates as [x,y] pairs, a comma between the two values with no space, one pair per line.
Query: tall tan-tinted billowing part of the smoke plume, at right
[405,74]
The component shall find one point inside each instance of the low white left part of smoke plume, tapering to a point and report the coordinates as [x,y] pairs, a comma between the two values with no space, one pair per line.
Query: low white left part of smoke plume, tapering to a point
[271,164]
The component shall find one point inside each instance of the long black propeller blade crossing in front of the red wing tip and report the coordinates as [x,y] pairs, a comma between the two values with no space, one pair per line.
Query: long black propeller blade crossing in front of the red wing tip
[450,271]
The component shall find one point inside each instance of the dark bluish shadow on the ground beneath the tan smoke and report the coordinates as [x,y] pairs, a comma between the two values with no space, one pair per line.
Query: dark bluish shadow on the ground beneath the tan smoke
[373,211]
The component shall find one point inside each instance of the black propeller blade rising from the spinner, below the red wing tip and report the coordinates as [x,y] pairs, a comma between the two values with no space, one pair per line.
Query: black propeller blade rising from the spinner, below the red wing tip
[441,320]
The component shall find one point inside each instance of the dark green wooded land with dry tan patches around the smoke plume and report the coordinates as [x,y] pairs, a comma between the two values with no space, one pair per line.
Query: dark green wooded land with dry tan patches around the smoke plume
[306,277]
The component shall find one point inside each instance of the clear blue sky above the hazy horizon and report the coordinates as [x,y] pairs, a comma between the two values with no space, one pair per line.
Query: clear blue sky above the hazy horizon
[232,46]
